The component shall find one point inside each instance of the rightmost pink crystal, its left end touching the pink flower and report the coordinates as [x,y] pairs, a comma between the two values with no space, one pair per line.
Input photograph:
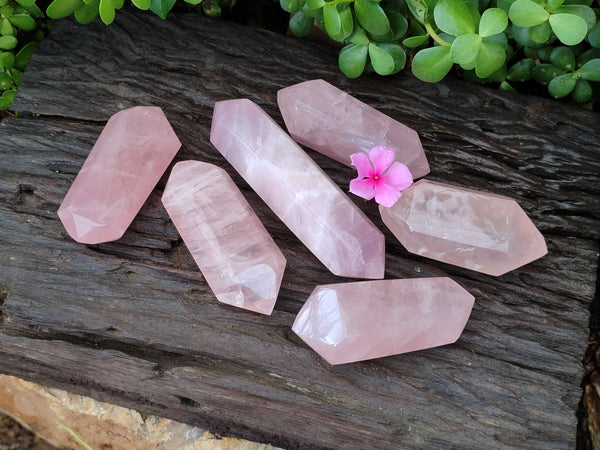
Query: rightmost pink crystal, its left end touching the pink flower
[479,231]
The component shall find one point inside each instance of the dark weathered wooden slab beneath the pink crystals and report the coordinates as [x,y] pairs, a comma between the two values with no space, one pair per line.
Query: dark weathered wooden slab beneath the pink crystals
[133,322]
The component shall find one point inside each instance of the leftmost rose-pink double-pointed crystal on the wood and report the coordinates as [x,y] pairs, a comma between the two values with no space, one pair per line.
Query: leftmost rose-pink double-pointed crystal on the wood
[131,154]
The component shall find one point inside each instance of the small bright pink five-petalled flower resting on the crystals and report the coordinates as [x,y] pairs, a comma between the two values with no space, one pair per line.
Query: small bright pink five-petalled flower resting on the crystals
[379,176]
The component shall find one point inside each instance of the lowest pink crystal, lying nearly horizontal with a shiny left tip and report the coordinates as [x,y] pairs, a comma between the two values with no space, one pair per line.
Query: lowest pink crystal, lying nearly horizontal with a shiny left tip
[351,322]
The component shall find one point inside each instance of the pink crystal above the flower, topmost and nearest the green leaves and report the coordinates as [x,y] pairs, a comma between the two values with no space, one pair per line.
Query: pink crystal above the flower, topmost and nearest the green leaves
[336,124]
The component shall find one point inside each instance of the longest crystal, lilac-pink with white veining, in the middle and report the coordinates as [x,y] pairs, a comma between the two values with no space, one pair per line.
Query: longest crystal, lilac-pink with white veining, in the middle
[312,206]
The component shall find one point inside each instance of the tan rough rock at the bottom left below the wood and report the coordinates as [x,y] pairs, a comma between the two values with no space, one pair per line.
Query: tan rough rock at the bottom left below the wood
[58,417]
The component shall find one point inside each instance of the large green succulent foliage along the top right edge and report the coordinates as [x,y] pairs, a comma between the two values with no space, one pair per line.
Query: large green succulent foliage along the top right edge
[512,43]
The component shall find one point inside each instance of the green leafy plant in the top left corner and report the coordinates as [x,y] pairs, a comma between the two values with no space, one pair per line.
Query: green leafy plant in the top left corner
[20,32]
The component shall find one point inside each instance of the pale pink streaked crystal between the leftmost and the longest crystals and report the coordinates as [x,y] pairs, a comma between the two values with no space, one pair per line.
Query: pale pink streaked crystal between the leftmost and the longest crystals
[239,260]
